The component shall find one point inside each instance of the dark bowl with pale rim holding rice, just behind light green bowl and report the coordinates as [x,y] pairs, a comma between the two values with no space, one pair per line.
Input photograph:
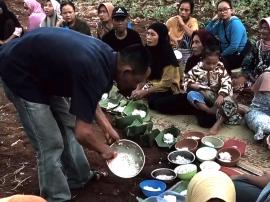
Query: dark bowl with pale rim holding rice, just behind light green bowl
[172,157]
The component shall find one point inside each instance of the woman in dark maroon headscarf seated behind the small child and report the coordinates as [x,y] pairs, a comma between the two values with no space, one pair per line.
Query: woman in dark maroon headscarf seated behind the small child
[200,40]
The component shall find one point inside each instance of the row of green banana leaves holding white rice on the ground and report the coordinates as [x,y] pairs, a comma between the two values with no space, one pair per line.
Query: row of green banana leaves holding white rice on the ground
[133,118]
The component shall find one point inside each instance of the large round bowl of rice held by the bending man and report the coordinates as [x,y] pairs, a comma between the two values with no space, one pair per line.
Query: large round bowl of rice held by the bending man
[129,161]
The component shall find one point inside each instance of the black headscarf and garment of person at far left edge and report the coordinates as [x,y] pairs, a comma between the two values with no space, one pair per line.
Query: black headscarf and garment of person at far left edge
[6,31]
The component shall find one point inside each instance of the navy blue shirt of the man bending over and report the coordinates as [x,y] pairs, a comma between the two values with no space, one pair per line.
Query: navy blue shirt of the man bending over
[54,61]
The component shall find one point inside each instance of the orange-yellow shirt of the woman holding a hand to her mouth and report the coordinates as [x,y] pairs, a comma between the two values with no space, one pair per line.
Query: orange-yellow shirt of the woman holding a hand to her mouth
[176,31]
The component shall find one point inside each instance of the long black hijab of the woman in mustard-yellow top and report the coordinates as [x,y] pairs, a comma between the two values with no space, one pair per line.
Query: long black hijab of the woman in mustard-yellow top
[162,54]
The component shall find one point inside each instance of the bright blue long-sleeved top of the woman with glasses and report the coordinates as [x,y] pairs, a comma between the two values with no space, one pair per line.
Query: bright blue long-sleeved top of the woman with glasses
[235,32]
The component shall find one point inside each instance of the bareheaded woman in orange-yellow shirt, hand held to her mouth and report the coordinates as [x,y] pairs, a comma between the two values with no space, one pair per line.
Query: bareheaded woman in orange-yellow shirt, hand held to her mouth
[182,26]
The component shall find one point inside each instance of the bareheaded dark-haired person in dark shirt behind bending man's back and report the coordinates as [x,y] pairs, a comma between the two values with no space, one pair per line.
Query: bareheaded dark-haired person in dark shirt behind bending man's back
[70,21]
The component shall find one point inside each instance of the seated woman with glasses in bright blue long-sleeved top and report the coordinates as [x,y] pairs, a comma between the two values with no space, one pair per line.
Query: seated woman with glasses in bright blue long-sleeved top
[231,32]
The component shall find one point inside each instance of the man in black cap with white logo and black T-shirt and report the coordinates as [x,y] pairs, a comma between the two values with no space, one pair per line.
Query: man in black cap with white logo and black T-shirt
[121,36]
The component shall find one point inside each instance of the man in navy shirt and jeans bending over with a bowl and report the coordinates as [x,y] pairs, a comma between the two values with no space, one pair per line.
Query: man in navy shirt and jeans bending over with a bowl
[48,64]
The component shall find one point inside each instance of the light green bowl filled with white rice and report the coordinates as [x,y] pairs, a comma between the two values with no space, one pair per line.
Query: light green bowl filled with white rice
[186,172]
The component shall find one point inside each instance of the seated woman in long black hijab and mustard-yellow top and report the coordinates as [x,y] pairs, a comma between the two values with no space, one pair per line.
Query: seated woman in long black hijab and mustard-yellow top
[164,79]
